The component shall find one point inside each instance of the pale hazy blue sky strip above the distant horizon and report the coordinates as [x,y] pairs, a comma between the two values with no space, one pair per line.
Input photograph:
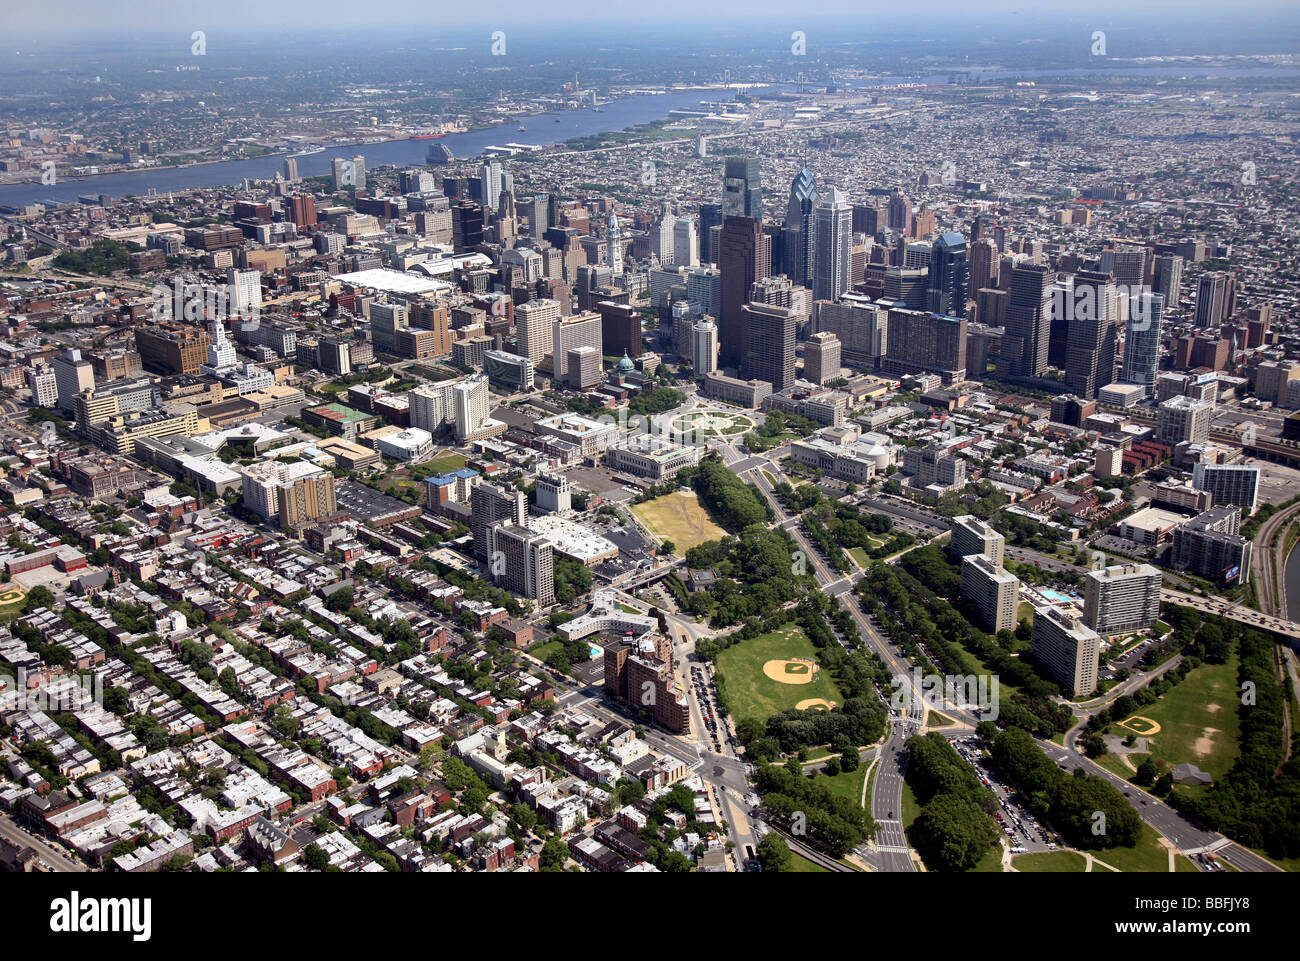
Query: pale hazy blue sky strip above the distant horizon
[153,16]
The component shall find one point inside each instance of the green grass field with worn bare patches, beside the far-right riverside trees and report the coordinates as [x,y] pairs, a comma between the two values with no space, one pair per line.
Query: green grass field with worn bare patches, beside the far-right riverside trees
[1198,721]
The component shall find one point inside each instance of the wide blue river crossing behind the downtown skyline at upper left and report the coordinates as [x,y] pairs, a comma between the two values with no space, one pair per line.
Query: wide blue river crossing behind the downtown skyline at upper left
[541,131]
